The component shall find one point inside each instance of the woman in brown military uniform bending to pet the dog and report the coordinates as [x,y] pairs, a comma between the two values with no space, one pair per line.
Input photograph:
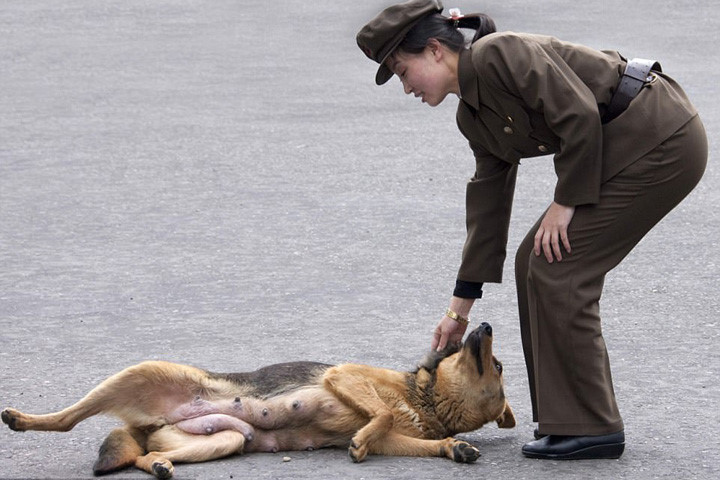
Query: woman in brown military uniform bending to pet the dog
[628,146]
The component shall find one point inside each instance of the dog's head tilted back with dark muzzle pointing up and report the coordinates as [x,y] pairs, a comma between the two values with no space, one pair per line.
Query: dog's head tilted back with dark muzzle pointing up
[471,382]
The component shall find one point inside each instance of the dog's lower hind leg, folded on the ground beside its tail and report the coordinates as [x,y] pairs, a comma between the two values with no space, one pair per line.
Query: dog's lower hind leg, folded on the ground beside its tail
[169,445]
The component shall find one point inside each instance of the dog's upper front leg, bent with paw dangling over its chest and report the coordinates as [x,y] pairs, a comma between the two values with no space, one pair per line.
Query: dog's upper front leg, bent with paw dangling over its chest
[360,395]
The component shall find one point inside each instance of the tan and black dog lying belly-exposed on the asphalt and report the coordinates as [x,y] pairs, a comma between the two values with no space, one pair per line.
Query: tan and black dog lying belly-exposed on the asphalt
[177,413]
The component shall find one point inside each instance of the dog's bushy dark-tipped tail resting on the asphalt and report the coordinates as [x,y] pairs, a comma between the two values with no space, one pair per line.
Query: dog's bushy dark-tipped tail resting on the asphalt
[120,450]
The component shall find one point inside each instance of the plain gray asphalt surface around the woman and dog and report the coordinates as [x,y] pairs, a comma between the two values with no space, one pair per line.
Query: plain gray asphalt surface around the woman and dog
[220,183]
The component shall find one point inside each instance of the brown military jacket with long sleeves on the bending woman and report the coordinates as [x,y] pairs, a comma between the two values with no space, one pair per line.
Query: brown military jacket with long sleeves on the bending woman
[526,95]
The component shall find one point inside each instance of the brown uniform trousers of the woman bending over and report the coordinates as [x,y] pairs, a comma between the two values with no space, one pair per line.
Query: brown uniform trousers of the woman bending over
[567,362]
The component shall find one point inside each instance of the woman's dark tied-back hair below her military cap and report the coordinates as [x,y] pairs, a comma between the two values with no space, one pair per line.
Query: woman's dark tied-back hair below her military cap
[445,30]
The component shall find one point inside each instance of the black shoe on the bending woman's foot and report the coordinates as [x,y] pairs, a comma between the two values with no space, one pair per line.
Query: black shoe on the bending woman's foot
[560,447]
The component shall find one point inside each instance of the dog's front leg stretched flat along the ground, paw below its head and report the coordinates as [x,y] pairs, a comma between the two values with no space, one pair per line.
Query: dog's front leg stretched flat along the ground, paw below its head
[402,445]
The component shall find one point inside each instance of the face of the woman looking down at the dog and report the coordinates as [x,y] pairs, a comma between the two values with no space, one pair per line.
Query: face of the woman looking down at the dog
[424,74]
